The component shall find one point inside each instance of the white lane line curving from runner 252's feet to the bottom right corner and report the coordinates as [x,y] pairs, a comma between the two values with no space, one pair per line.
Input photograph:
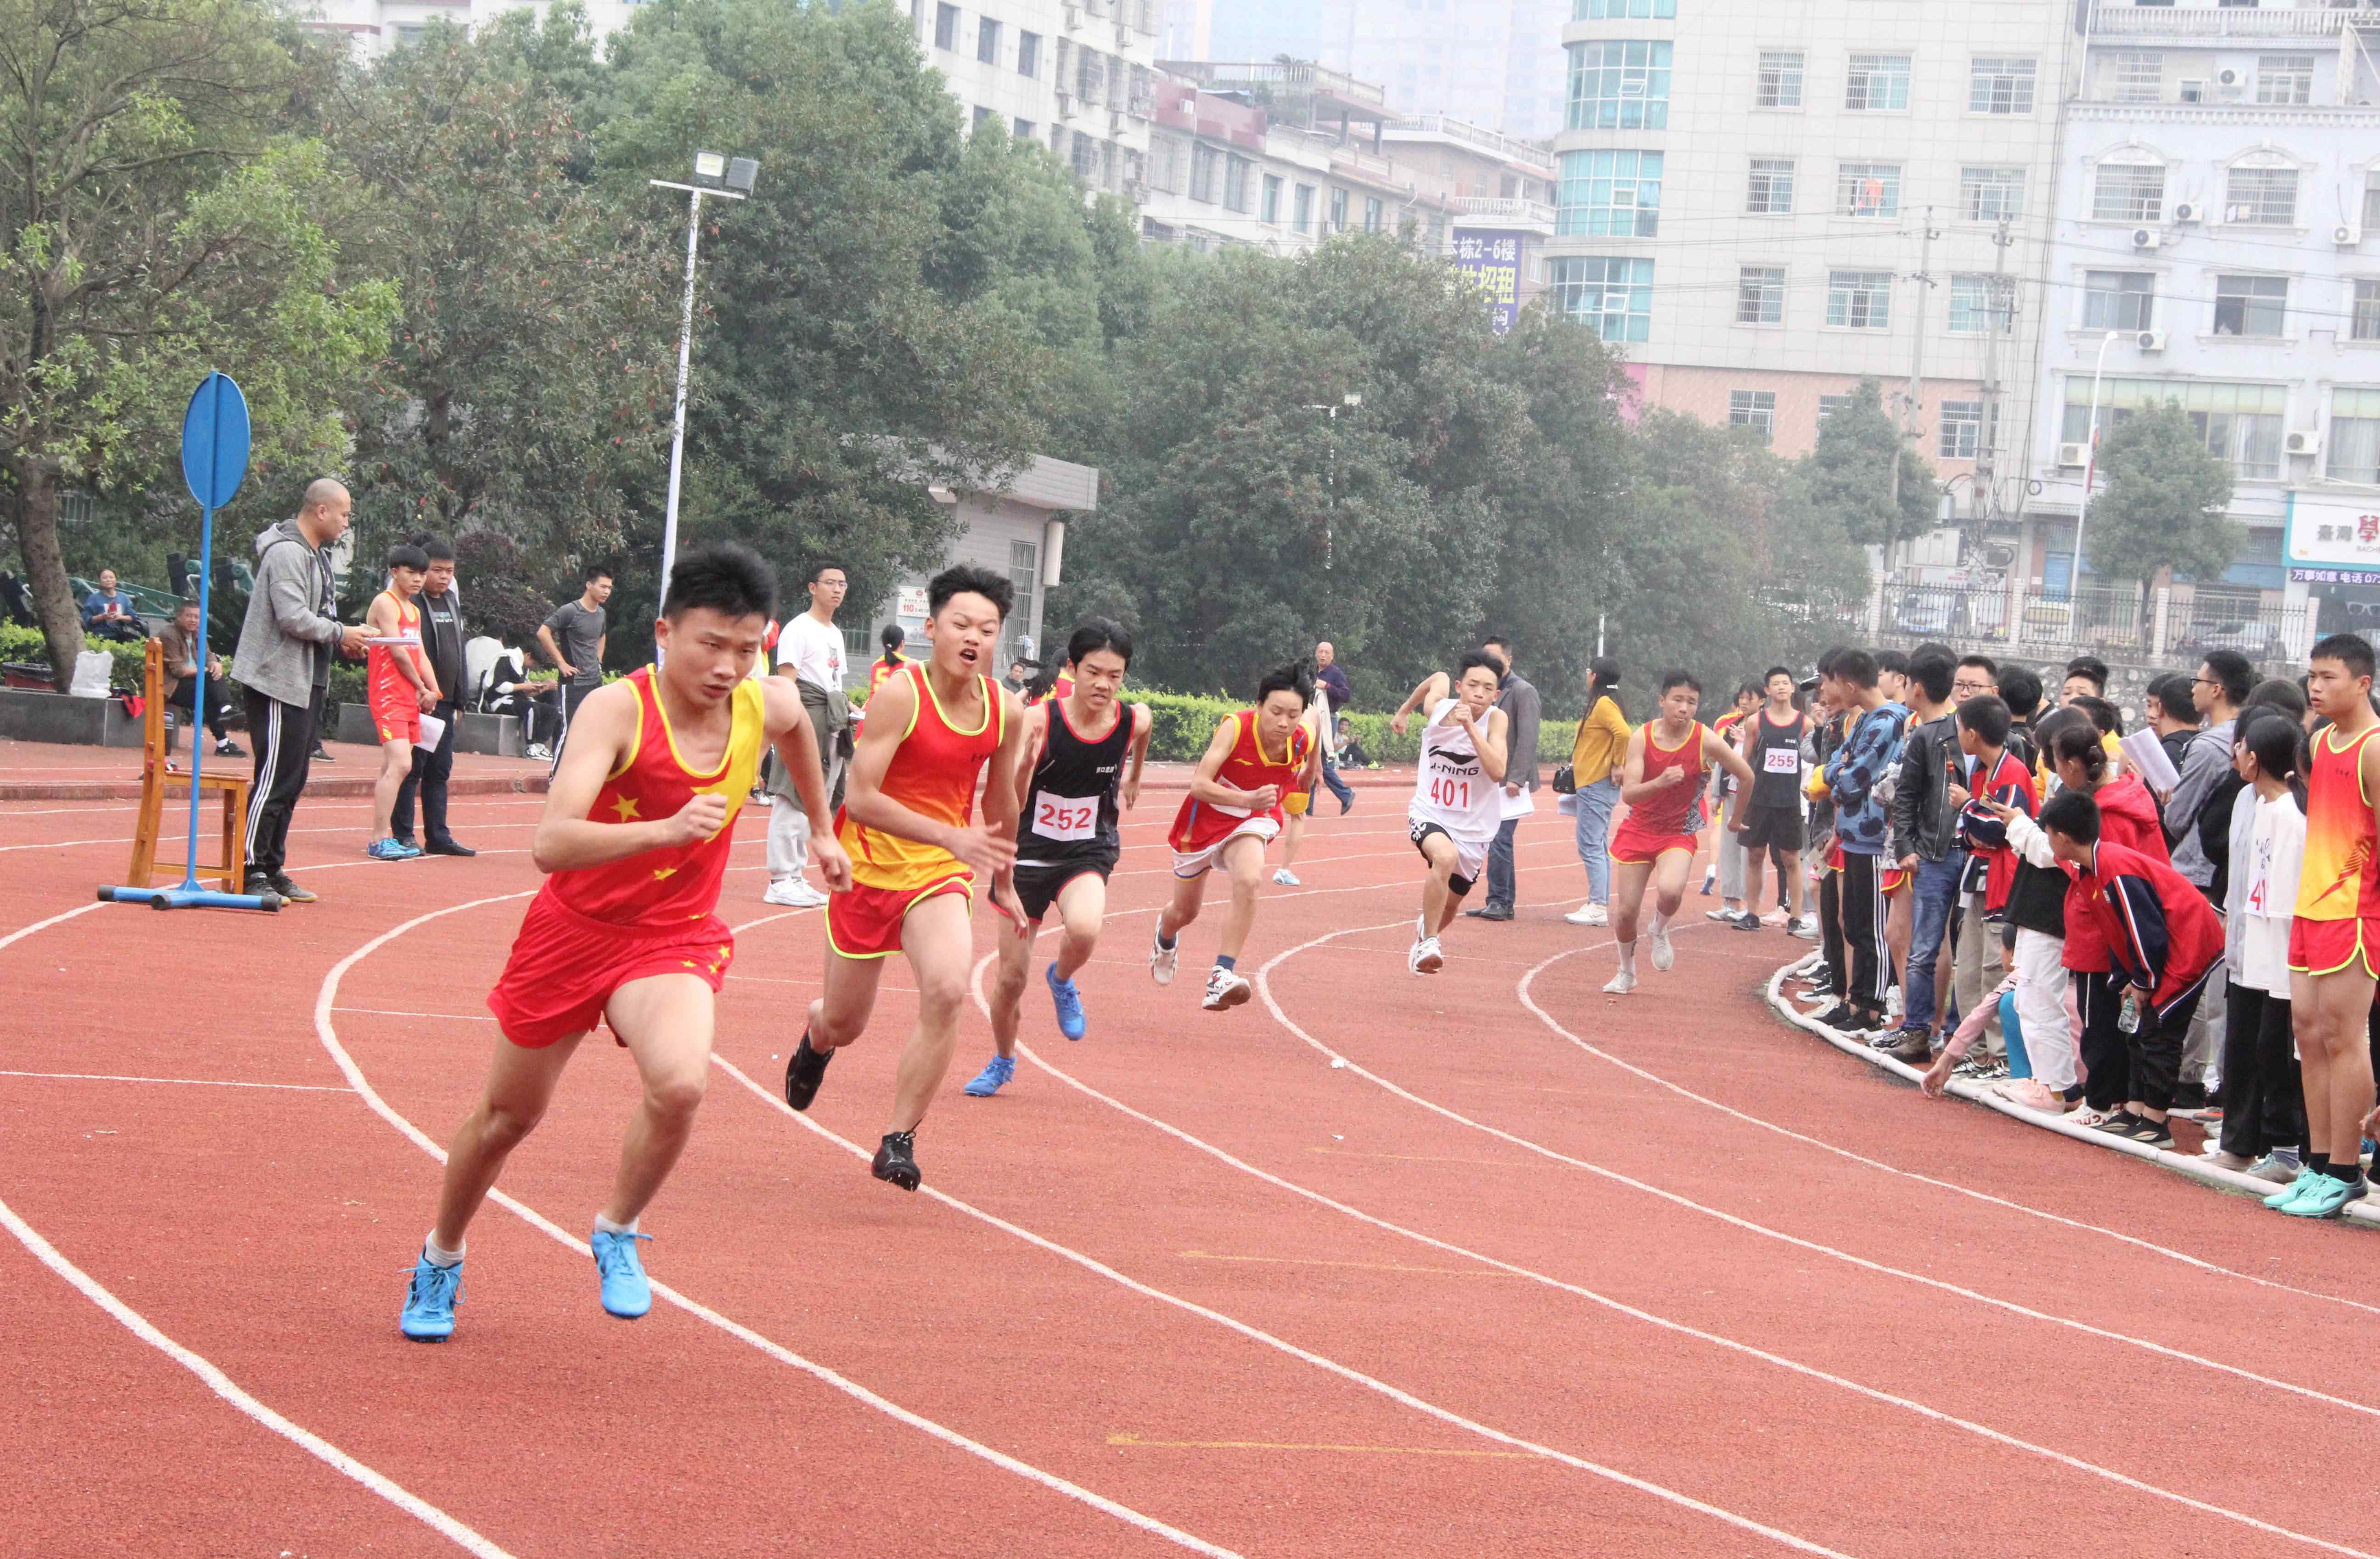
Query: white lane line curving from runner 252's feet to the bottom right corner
[1648,1317]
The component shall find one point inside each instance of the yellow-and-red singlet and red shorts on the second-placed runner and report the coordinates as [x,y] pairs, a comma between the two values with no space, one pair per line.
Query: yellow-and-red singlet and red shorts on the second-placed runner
[934,772]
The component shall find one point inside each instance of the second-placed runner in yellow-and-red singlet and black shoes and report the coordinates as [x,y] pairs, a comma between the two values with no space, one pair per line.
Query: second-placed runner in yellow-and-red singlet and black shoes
[908,825]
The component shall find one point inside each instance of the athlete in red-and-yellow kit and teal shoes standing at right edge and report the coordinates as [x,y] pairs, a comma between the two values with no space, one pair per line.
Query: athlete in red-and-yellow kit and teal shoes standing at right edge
[2336,934]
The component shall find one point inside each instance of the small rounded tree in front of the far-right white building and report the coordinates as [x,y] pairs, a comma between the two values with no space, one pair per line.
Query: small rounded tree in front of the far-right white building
[2165,501]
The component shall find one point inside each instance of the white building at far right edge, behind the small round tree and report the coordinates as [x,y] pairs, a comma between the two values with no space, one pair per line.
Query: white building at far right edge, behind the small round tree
[2219,215]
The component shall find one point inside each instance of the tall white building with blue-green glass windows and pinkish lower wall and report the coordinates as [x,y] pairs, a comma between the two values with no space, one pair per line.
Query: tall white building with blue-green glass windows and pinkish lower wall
[1765,204]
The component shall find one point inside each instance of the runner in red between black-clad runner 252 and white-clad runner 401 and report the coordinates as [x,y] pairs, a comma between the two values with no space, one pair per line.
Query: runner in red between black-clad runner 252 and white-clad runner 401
[1232,815]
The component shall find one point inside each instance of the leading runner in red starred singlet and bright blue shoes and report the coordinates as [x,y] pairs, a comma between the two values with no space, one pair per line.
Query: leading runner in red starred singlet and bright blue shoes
[634,837]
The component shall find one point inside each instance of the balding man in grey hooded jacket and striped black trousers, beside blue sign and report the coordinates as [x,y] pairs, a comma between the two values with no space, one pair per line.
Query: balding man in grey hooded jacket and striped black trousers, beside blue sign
[284,663]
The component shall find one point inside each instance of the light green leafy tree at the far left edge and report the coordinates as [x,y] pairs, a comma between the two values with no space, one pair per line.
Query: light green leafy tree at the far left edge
[161,220]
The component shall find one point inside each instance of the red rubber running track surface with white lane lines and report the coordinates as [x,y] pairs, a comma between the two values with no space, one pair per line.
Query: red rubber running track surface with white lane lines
[1482,1289]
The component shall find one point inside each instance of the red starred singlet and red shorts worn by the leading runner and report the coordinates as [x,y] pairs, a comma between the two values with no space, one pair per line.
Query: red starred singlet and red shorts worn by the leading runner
[594,929]
